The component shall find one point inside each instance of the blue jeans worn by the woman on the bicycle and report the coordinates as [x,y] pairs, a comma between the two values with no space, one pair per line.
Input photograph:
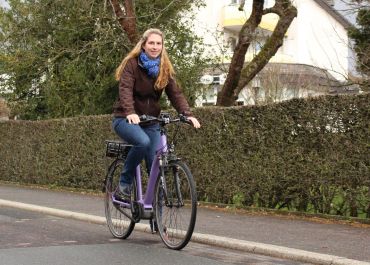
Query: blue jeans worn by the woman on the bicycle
[145,141]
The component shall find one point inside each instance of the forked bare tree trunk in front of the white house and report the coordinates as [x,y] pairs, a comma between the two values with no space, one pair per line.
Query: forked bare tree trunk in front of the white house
[239,75]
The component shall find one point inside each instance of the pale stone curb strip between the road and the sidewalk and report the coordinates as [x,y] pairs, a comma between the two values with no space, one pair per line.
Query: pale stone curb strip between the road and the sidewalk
[230,243]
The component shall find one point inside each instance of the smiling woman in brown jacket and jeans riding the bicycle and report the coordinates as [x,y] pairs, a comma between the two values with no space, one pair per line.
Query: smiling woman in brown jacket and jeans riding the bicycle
[143,75]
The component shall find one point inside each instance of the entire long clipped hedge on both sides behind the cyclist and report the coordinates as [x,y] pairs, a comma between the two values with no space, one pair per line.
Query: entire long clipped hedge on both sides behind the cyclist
[305,154]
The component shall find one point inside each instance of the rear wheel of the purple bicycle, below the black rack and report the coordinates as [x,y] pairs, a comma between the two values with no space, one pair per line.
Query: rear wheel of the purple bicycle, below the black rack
[118,223]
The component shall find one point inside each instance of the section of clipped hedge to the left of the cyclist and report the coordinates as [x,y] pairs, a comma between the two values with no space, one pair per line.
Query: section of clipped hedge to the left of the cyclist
[65,152]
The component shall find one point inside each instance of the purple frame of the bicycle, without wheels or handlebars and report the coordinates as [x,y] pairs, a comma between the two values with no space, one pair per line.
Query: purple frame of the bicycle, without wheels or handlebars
[146,200]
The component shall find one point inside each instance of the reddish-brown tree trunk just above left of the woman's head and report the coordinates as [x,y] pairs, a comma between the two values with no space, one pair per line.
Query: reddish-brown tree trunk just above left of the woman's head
[127,19]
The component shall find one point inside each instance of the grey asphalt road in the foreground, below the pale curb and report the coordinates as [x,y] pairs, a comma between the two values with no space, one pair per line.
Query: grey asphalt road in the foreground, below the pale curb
[29,238]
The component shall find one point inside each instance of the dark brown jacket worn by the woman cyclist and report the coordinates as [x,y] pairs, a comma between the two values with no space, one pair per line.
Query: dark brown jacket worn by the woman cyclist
[137,94]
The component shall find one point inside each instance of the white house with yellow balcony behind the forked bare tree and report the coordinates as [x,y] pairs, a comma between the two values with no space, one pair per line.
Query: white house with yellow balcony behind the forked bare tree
[315,56]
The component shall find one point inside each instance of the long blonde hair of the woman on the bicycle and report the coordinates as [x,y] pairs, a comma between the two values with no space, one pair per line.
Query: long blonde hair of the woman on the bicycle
[166,70]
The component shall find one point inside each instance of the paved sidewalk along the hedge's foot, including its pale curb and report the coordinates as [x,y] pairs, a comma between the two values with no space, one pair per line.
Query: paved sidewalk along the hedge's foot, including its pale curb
[288,235]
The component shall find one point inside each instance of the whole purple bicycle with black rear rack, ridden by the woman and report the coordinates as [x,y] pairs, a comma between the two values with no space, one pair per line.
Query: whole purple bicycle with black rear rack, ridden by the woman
[170,199]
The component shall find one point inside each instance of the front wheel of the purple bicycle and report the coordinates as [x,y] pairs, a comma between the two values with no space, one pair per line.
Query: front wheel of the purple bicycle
[176,217]
